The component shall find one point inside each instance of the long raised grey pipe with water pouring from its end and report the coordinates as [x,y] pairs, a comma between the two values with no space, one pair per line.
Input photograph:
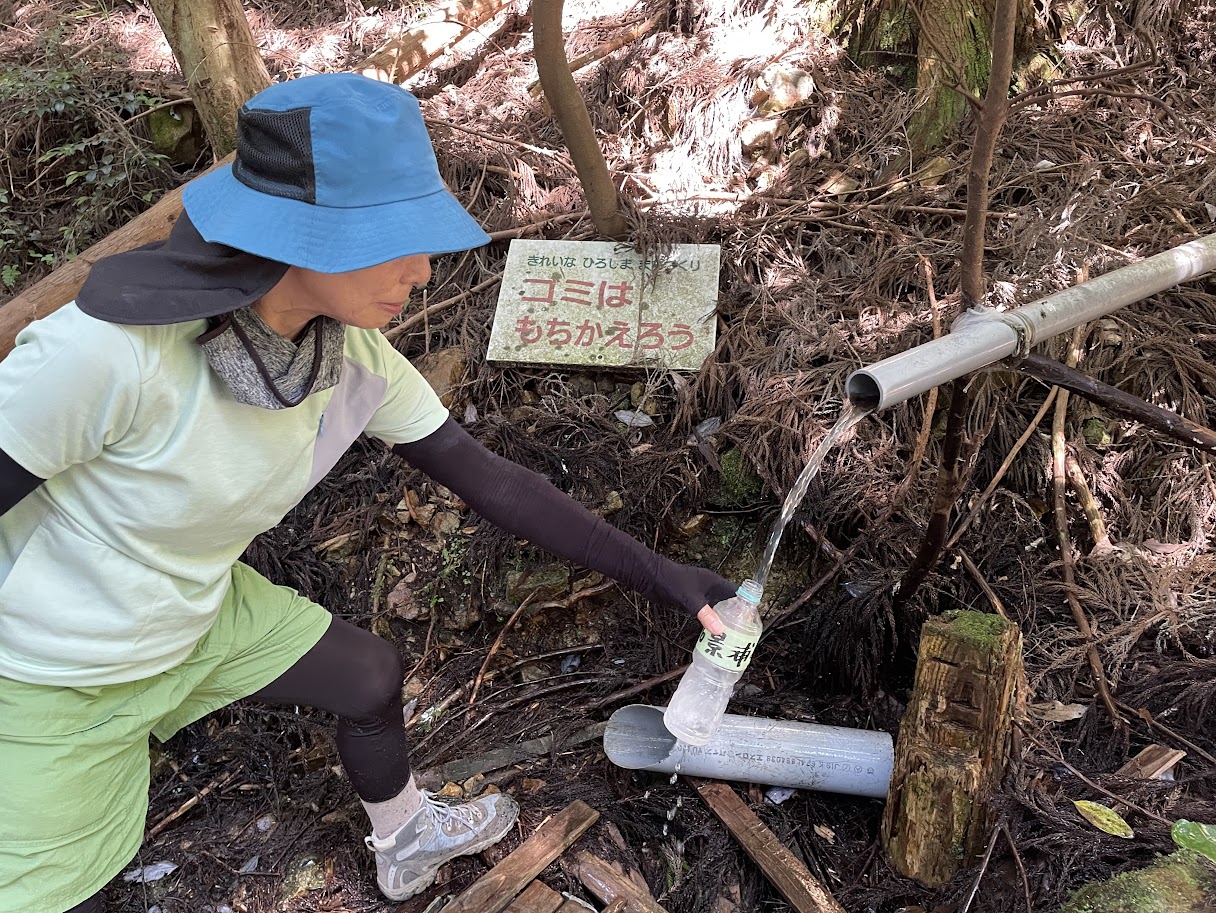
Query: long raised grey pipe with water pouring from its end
[983,336]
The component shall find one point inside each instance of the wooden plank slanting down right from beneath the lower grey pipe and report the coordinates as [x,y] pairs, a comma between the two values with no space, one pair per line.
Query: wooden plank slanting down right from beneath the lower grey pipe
[780,866]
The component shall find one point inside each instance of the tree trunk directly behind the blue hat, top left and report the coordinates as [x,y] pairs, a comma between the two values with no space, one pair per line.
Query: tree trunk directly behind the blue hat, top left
[215,47]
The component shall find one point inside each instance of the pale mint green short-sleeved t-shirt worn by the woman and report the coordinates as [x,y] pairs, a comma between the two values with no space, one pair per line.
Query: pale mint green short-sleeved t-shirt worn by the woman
[156,483]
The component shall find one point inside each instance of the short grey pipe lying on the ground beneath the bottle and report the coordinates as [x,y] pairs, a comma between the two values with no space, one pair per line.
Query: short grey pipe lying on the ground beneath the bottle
[774,753]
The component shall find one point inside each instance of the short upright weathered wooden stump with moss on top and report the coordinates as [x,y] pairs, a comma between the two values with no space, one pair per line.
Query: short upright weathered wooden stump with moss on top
[954,745]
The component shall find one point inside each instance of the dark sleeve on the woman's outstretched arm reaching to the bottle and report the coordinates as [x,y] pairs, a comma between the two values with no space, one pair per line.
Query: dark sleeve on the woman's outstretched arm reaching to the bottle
[531,508]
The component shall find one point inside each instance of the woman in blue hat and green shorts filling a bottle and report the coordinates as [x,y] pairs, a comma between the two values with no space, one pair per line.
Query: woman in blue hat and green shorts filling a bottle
[184,404]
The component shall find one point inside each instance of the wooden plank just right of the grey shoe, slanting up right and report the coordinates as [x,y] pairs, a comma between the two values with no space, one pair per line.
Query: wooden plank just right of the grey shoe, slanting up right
[498,887]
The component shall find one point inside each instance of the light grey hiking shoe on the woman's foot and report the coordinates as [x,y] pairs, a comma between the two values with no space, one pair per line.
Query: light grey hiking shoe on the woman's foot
[407,861]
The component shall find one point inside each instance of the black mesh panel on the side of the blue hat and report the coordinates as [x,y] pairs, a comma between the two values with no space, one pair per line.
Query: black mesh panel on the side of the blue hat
[274,154]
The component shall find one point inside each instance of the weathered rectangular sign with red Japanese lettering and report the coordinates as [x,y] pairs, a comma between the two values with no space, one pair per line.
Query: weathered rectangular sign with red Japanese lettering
[599,303]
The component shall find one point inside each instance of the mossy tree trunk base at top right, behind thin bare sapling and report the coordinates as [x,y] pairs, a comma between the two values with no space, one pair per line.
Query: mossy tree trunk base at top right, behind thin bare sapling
[950,43]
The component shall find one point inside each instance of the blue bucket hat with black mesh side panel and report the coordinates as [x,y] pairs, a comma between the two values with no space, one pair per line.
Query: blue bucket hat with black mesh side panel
[333,173]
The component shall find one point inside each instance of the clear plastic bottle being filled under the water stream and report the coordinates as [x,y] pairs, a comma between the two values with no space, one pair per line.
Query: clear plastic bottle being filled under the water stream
[718,663]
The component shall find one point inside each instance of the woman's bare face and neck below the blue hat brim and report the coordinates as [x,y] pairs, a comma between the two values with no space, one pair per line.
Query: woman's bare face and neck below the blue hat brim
[367,298]
